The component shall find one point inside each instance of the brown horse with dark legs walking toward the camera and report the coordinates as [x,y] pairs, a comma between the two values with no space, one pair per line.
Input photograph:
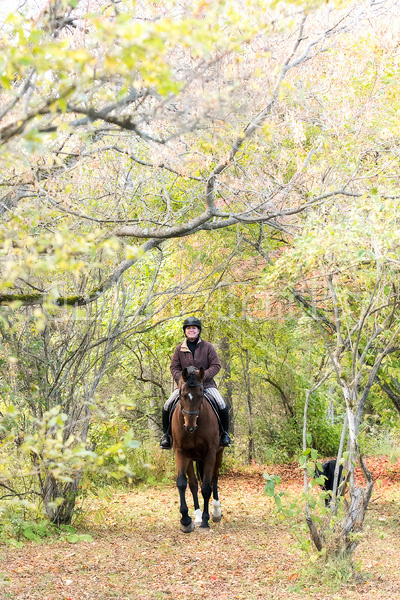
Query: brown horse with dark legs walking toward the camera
[195,435]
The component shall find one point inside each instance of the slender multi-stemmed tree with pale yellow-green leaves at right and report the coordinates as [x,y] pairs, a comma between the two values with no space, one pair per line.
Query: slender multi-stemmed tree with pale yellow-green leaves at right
[347,271]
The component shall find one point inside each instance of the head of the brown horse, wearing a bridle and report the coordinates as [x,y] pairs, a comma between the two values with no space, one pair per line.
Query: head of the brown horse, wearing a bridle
[191,396]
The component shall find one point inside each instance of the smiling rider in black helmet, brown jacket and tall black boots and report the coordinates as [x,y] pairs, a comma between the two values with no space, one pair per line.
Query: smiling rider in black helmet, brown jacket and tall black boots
[196,352]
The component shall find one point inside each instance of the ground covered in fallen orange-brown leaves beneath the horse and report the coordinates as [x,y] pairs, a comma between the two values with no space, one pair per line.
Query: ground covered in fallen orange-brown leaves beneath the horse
[138,551]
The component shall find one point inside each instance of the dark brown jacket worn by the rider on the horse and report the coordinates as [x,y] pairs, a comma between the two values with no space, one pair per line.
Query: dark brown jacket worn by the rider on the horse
[205,356]
